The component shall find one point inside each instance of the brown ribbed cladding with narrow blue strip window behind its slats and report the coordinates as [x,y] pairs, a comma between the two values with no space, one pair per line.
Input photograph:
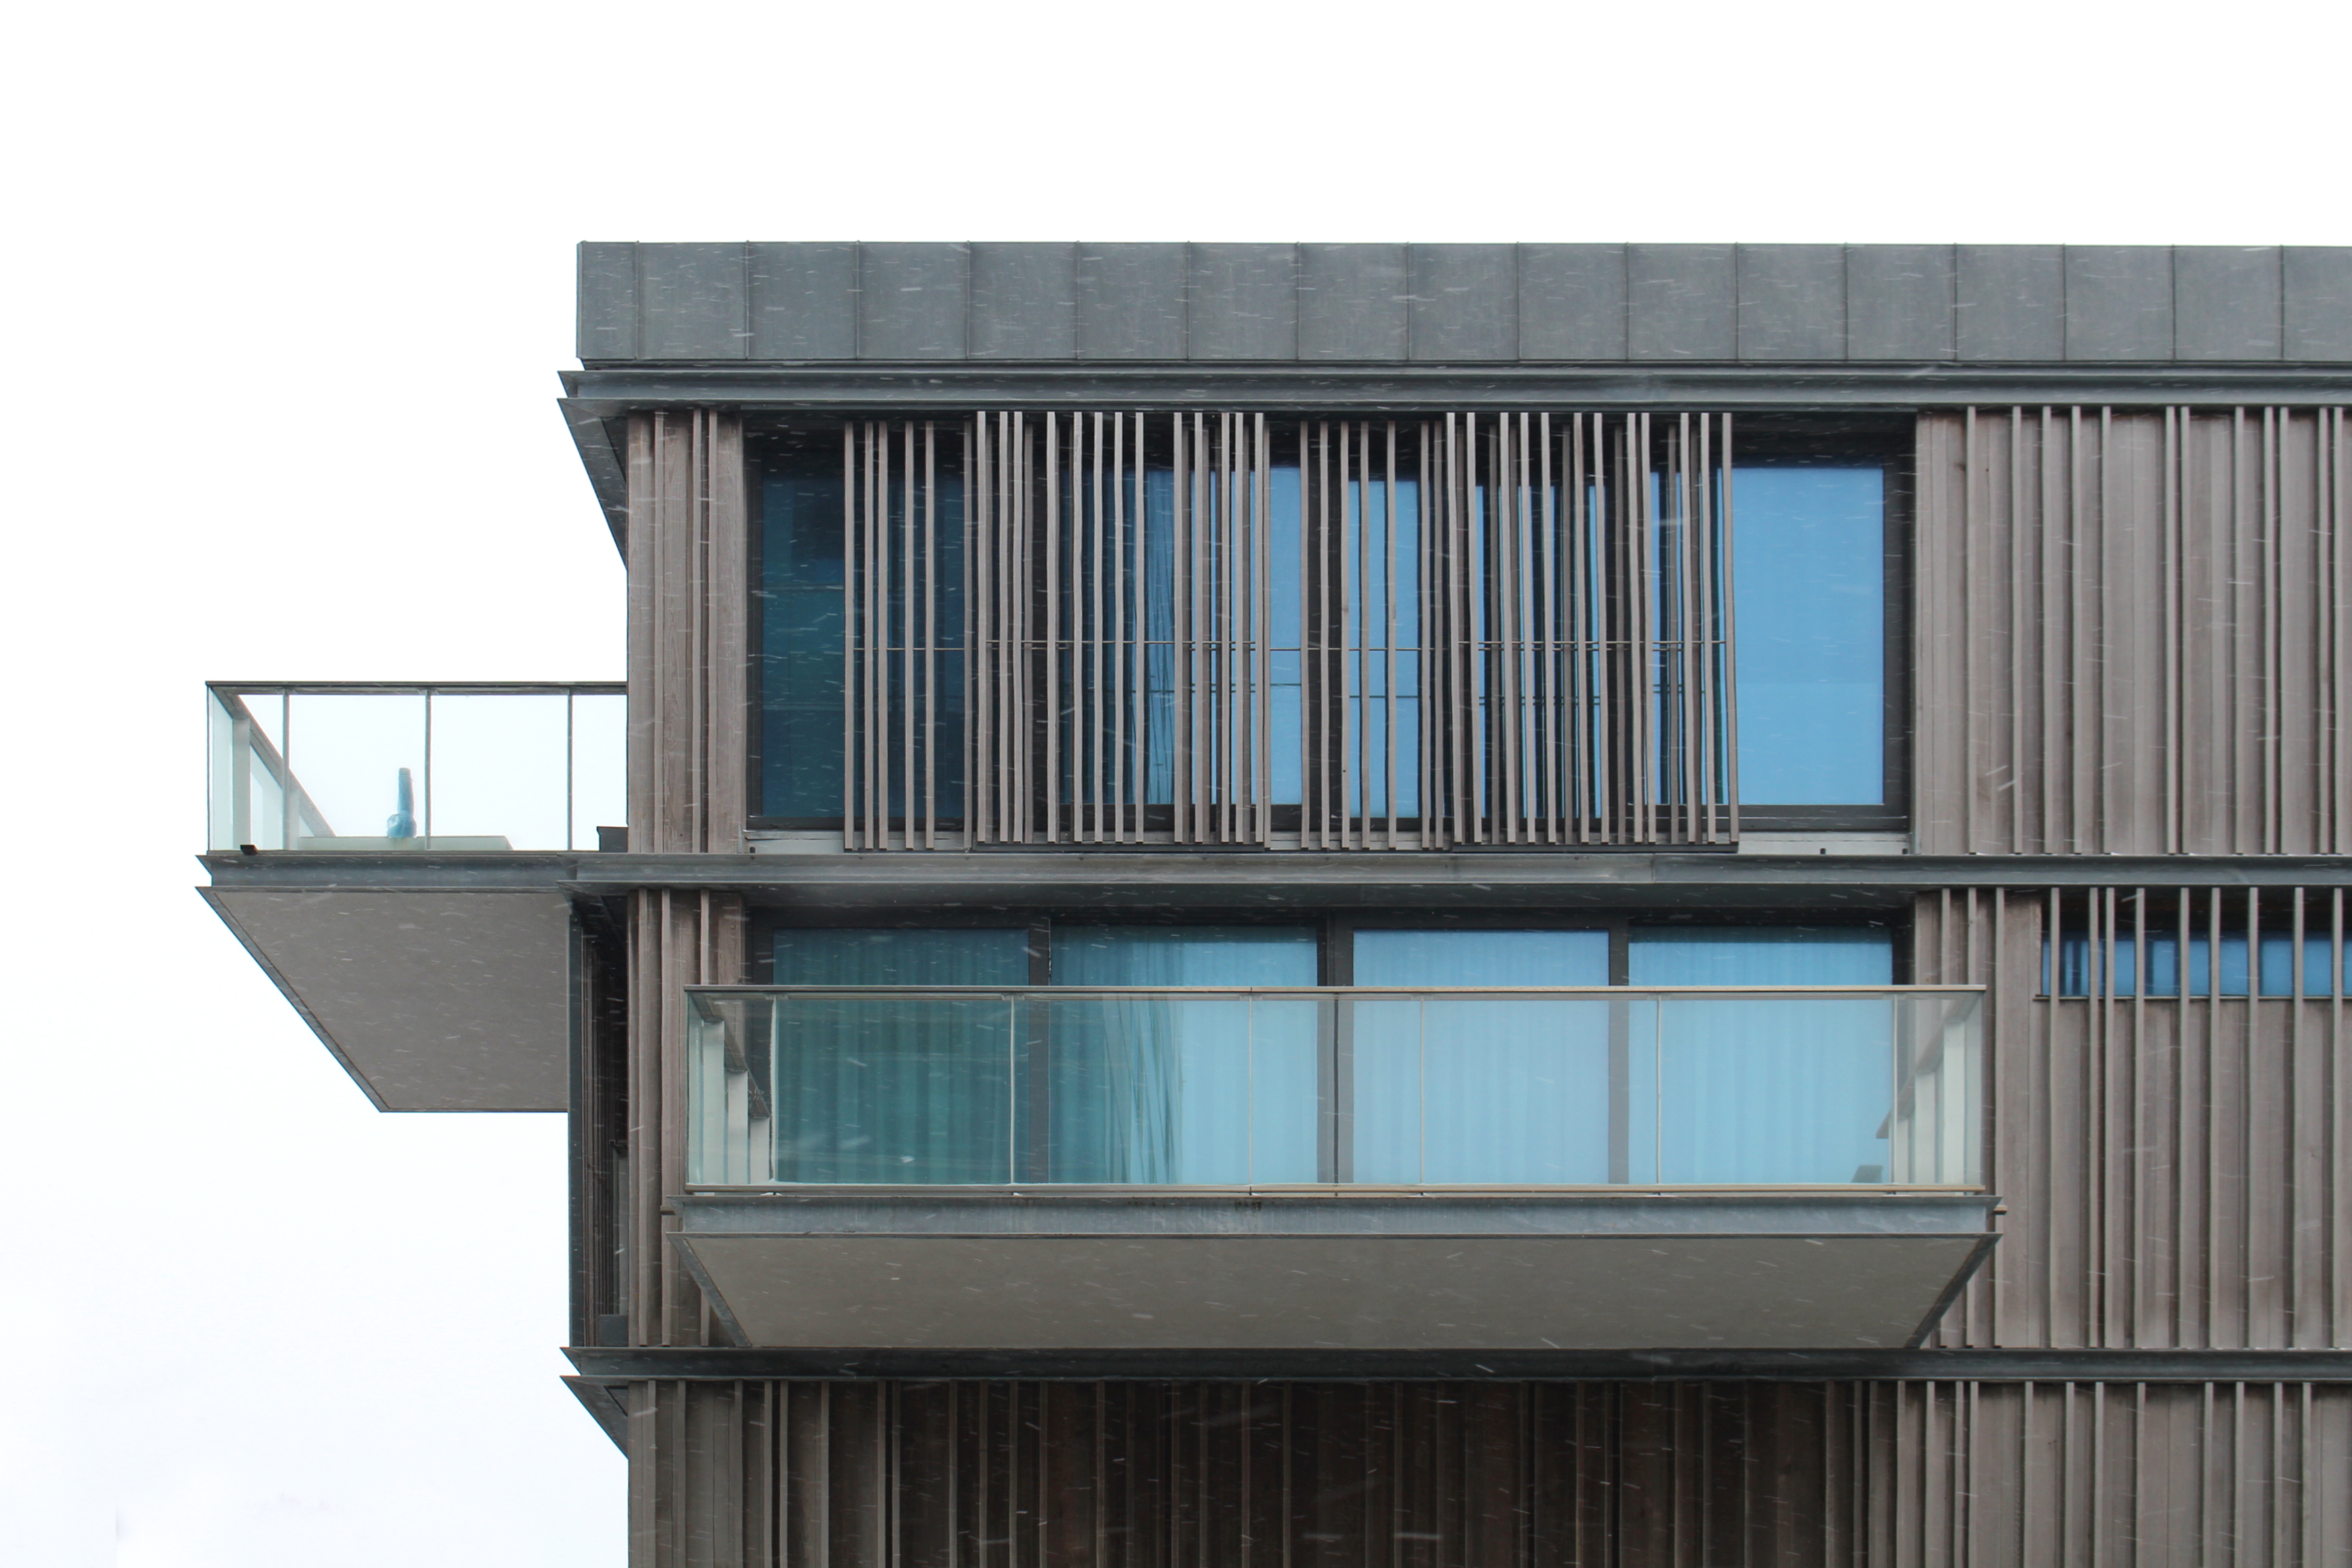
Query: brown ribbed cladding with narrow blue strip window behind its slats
[2174,1167]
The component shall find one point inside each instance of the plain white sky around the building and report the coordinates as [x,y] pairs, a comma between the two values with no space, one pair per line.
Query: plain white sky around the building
[290,288]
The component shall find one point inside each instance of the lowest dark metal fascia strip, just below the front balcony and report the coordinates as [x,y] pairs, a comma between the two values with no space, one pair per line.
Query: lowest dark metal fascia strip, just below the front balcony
[1490,1365]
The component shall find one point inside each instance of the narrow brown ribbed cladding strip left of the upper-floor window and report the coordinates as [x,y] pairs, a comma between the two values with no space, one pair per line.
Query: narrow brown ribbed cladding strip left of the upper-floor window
[688,634]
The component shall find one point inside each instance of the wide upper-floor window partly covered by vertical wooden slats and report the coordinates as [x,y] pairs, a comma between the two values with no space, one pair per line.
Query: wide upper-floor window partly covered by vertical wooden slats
[1417,634]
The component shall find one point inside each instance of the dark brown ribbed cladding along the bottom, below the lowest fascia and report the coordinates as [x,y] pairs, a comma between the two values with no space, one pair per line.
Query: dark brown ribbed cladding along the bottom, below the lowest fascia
[1495,1475]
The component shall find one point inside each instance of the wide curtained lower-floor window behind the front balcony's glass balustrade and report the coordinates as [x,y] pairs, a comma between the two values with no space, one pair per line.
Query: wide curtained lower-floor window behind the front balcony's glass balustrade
[1151,1054]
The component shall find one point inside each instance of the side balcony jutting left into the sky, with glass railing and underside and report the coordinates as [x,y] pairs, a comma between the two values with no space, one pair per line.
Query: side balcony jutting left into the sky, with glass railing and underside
[366,831]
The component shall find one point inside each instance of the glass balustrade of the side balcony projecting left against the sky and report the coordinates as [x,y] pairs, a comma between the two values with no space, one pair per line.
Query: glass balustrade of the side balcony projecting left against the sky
[258,796]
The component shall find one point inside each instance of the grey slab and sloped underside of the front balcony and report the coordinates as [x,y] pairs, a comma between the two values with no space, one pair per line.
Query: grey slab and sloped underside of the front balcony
[1330,1271]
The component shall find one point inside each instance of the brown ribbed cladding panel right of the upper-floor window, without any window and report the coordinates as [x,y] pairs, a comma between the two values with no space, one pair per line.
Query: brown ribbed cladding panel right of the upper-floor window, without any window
[2134,631]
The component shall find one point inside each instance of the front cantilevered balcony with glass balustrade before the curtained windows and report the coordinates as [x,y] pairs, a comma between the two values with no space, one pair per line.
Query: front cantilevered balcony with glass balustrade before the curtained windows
[1349,1170]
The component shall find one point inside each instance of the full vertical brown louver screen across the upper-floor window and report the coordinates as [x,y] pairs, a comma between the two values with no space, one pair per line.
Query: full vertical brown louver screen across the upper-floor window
[1217,629]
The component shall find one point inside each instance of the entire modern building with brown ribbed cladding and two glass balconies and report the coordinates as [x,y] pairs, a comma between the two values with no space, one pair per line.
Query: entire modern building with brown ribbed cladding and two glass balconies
[1410,904]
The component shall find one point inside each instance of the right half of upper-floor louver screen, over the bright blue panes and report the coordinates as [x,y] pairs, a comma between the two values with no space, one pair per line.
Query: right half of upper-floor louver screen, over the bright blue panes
[1556,589]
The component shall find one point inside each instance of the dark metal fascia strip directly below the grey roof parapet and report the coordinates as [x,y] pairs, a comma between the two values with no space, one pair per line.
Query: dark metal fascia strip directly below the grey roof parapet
[603,391]
